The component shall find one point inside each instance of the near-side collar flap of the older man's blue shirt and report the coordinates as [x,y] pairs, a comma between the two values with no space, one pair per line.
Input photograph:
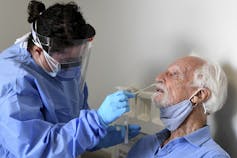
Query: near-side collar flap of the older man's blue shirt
[199,137]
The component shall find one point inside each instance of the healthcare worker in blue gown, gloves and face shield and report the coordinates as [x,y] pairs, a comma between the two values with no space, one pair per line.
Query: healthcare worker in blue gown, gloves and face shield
[43,95]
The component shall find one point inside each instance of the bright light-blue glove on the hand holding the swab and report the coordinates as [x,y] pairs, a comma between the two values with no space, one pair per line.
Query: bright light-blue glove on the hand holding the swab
[114,106]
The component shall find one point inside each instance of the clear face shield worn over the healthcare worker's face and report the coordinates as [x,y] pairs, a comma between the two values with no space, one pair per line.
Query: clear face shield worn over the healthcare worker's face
[67,59]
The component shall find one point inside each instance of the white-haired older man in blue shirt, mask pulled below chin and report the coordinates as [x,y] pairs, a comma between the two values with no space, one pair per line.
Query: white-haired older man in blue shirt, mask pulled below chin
[188,91]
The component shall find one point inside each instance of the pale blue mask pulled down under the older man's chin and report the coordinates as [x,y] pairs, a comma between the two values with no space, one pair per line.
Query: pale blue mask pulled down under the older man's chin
[173,116]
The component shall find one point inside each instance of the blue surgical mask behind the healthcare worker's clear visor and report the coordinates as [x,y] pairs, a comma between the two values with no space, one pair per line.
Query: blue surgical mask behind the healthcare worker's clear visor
[69,73]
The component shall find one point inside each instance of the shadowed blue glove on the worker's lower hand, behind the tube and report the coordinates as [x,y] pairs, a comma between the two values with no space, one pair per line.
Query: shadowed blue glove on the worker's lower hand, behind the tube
[115,135]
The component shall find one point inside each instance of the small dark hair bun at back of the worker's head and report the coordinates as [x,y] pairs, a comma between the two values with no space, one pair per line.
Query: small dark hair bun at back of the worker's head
[34,10]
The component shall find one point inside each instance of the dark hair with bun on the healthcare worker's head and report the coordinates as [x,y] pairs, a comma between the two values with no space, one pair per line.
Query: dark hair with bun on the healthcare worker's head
[59,21]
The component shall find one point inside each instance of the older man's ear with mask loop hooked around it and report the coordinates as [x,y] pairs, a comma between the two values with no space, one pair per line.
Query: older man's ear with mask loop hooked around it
[202,96]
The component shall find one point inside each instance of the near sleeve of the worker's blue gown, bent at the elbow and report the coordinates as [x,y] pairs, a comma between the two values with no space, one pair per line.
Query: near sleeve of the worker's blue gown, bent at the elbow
[25,133]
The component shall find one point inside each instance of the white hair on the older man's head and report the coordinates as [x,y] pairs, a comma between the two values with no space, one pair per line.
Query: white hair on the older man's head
[213,77]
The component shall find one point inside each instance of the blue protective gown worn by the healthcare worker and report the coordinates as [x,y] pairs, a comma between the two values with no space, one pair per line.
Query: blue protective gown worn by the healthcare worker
[42,116]
